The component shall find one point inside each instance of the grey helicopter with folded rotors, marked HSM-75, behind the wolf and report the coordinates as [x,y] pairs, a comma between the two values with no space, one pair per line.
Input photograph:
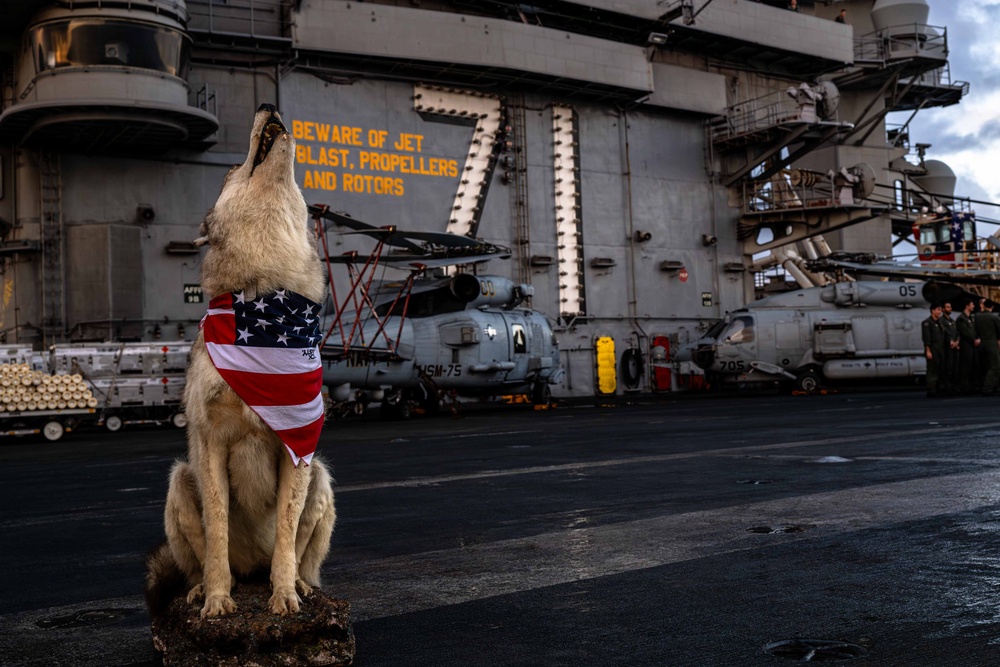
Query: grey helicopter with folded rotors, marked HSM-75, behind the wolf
[428,338]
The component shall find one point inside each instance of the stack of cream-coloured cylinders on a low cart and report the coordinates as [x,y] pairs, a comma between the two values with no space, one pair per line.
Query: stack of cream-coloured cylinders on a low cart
[24,390]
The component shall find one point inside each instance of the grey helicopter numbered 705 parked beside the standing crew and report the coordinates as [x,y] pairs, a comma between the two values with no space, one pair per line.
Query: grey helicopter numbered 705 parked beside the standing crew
[860,329]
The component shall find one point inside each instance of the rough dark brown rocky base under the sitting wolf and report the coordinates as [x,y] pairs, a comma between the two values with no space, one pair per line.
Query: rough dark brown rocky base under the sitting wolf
[320,634]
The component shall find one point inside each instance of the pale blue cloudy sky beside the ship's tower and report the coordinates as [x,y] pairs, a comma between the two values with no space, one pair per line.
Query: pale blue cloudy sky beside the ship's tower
[966,136]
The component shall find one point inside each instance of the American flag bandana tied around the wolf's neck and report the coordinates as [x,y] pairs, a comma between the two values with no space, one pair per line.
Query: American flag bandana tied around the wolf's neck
[266,350]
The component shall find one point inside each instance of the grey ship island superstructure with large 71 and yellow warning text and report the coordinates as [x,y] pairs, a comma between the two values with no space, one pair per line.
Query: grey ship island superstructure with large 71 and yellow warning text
[644,160]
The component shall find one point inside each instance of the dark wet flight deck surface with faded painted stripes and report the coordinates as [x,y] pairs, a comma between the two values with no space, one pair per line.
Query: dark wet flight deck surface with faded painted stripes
[575,536]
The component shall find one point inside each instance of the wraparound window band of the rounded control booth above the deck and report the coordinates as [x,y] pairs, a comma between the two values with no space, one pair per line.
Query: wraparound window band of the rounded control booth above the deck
[90,42]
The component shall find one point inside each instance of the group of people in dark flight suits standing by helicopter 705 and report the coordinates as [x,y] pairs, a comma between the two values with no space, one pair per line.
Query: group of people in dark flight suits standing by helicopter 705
[963,353]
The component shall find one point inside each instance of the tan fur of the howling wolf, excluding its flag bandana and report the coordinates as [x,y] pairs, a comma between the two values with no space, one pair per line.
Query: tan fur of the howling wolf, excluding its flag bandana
[239,505]
